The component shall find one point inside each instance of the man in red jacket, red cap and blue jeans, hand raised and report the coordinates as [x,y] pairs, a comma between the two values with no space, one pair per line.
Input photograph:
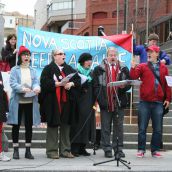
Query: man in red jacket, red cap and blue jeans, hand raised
[154,93]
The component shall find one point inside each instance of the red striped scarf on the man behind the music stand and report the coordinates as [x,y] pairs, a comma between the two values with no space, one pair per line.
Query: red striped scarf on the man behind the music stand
[110,90]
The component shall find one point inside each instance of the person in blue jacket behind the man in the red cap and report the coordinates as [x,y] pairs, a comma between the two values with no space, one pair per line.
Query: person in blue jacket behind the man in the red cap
[141,50]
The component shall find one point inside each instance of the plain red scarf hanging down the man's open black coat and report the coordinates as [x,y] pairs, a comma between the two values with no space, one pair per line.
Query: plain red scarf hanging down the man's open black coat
[61,94]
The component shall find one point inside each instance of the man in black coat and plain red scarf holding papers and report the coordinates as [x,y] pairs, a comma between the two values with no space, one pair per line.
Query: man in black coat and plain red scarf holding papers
[55,100]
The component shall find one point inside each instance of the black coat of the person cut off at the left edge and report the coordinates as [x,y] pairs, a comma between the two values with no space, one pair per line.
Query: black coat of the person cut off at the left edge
[3,102]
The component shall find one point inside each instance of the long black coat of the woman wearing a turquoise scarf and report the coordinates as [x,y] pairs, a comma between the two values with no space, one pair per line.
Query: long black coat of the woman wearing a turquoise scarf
[83,129]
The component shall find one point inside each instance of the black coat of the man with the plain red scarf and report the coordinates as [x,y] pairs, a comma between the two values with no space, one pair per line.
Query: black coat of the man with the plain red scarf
[48,101]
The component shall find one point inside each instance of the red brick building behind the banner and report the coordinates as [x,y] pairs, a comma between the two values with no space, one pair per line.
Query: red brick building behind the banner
[106,14]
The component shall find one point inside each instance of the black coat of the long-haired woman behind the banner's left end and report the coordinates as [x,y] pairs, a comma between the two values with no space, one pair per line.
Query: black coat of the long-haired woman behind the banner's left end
[7,55]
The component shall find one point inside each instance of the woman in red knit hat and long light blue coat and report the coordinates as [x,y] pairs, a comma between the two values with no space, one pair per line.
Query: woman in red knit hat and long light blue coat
[23,101]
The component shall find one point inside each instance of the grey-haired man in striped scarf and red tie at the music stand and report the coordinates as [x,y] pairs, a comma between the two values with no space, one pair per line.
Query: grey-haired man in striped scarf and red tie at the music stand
[110,70]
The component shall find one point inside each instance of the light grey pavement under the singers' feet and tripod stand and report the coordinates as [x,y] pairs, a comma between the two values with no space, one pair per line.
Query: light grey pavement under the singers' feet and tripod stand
[83,164]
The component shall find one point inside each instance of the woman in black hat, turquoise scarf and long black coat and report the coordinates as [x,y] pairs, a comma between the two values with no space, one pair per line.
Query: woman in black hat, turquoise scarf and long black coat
[84,129]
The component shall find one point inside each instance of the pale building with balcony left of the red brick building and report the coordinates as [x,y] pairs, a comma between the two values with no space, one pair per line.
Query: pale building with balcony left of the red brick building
[60,15]
